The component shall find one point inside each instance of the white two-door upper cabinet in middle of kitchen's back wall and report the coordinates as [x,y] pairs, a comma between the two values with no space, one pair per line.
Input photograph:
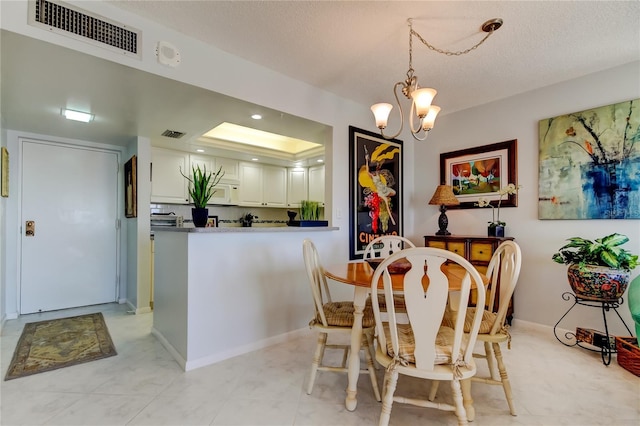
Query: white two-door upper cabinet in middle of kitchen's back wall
[262,185]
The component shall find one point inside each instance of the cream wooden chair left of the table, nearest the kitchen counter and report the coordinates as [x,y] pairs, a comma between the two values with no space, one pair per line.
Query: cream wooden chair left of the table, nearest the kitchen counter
[334,318]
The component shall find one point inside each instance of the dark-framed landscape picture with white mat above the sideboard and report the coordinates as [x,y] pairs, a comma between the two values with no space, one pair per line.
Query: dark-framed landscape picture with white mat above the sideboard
[480,172]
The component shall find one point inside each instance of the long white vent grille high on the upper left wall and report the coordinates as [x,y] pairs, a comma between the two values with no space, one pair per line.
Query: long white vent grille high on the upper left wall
[82,25]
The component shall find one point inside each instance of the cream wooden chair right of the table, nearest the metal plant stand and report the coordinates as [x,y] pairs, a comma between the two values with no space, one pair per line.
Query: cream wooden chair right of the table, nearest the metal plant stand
[503,269]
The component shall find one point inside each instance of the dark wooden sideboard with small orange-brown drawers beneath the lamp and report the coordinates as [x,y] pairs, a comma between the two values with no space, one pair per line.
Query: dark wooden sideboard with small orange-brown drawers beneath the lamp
[476,249]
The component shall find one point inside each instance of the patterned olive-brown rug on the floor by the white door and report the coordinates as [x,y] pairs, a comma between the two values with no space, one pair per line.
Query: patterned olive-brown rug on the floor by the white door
[49,345]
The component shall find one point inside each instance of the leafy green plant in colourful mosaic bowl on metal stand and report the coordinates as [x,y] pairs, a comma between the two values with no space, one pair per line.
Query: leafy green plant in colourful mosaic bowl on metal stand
[598,270]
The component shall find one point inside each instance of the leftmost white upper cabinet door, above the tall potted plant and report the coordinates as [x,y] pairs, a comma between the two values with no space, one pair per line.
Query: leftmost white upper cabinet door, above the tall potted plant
[167,184]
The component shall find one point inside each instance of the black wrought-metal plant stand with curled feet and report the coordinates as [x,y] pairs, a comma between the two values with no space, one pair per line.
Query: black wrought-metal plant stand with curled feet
[571,339]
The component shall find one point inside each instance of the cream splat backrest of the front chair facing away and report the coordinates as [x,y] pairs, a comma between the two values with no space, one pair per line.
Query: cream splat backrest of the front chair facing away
[425,309]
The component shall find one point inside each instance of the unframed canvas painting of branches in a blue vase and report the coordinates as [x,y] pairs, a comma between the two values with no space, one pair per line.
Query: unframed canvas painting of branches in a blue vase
[589,164]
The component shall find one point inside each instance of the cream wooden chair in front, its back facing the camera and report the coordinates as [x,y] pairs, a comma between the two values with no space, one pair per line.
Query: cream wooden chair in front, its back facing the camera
[423,348]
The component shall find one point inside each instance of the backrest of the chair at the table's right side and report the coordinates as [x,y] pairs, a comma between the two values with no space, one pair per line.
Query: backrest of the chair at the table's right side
[503,271]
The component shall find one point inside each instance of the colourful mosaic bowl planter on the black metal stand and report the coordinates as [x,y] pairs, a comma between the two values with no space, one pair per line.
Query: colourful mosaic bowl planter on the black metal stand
[594,282]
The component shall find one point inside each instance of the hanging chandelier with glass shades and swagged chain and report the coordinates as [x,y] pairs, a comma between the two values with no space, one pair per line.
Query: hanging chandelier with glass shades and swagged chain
[421,108]
